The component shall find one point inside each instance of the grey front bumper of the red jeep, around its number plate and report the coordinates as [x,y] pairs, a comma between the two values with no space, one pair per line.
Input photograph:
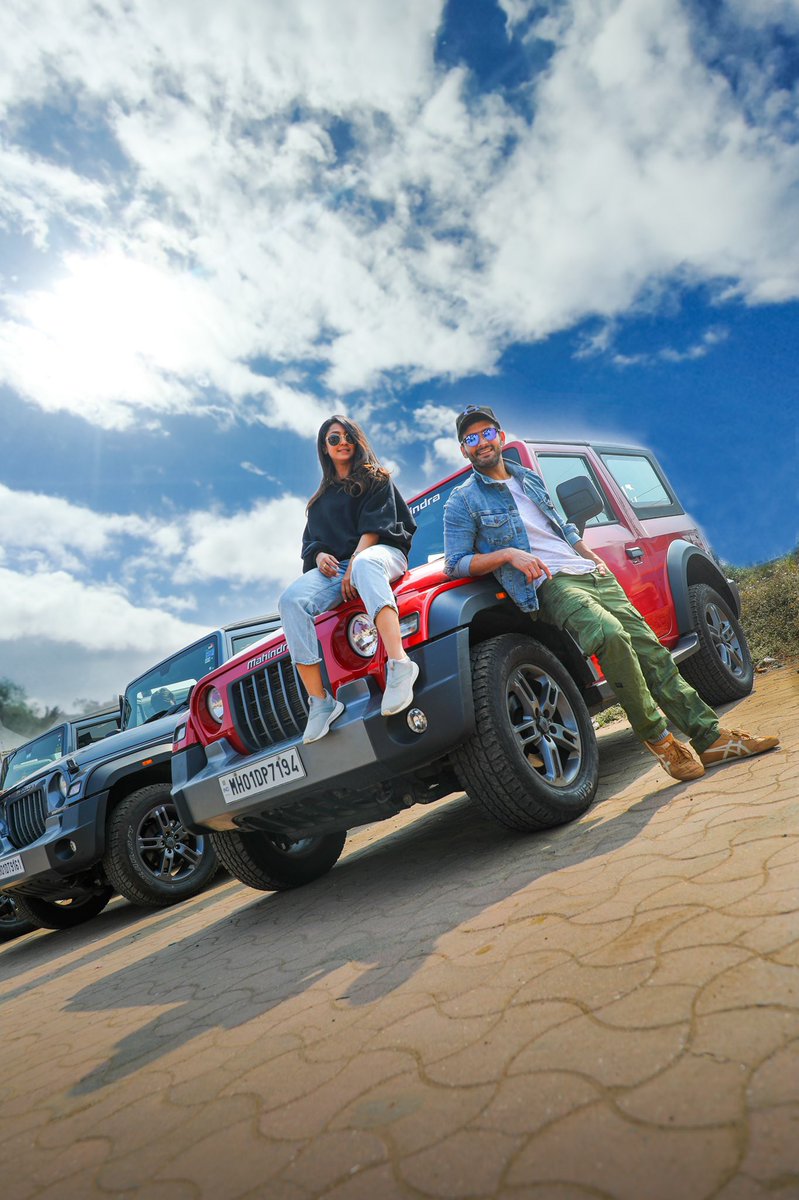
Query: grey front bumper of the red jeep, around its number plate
[358,773]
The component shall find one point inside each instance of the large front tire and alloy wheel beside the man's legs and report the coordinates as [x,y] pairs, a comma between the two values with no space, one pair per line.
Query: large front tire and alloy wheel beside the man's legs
[494,767]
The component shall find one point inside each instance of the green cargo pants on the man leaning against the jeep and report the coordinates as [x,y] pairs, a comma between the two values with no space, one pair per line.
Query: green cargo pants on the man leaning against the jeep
[597,613]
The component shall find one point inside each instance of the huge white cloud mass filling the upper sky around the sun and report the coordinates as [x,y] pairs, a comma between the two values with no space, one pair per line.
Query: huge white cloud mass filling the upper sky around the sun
[304,194]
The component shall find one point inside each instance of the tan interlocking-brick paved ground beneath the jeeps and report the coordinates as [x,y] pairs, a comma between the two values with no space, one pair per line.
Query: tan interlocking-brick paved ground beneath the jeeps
[609,1011]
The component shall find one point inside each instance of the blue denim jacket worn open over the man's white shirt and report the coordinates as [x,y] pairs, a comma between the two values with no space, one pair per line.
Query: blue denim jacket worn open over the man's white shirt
[482,515]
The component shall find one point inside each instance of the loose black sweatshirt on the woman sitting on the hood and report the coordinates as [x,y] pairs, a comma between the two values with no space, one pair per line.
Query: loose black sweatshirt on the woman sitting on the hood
[338,520]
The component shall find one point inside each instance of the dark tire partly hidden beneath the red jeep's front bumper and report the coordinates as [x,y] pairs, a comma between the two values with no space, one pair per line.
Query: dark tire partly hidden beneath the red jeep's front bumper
[271,863]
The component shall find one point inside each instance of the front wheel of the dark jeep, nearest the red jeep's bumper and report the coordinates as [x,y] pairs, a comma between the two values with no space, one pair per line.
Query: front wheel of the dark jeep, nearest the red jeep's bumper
[134,860]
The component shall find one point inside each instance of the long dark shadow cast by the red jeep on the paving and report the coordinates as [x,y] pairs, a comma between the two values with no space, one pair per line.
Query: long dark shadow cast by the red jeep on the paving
[381,913]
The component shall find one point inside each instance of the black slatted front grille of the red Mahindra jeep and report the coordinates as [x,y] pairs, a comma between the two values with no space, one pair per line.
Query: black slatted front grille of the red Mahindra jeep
[269,706]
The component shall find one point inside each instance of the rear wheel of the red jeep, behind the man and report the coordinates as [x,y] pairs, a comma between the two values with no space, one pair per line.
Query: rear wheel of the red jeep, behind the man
[722,670]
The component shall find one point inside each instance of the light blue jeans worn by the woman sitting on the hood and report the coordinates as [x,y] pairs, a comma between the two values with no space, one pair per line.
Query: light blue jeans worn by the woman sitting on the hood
[374,572]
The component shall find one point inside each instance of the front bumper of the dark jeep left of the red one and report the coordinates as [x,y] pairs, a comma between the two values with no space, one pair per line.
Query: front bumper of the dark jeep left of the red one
[73,843]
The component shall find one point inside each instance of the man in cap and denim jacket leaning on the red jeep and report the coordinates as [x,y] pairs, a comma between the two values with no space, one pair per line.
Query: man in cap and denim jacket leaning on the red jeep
[503,523]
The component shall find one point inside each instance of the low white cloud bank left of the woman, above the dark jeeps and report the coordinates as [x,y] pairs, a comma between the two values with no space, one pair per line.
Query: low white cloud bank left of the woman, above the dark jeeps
[67,632]
